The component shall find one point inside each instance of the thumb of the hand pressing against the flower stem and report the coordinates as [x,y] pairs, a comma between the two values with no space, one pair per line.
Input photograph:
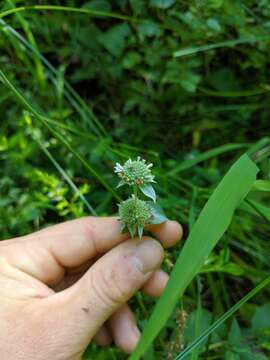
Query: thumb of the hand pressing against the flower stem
[106,286]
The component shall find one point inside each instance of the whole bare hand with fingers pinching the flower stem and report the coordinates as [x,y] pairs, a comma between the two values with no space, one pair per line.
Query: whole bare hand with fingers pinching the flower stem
[69,284]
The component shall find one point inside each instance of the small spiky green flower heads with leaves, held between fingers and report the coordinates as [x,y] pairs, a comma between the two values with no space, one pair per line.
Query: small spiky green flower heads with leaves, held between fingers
[136,213]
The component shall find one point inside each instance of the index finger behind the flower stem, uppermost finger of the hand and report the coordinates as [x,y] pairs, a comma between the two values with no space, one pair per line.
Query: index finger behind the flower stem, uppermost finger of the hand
[46,253]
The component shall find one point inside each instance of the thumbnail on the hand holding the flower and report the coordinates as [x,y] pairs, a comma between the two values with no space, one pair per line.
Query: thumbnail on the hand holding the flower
[148,255]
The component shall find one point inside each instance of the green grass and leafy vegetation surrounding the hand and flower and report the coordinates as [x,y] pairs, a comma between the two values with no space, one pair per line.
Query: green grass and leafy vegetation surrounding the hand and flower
[185,85]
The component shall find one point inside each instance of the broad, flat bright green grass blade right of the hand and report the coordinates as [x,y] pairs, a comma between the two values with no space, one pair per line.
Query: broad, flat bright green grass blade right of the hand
[208,229]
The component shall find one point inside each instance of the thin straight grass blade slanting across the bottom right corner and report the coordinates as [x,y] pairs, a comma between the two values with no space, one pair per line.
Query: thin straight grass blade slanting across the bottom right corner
[222,319]
